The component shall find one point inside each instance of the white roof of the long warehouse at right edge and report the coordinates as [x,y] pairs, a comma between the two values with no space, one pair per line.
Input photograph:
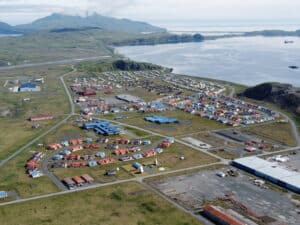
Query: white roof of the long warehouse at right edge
[271,169]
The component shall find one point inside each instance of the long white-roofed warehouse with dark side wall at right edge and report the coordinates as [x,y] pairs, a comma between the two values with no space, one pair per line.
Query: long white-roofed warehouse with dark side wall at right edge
[270,171]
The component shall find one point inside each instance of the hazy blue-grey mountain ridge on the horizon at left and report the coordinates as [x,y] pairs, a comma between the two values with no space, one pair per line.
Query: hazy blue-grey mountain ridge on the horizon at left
[60,21]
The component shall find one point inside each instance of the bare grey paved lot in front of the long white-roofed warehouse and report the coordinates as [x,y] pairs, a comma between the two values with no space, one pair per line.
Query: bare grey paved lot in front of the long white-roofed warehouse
[194,190]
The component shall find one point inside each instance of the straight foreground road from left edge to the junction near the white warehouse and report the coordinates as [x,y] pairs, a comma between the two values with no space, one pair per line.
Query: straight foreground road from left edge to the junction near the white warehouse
[137,179]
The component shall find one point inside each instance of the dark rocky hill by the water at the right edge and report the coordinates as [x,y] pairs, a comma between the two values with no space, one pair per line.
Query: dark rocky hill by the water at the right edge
[284,95]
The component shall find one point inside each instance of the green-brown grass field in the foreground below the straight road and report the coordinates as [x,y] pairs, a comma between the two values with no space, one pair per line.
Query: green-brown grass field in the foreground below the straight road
[127,203]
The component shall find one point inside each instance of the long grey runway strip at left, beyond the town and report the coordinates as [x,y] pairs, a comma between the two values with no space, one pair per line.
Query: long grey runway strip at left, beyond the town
[59,62]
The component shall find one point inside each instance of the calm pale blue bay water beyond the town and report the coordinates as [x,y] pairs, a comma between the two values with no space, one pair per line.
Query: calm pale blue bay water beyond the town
[246,60]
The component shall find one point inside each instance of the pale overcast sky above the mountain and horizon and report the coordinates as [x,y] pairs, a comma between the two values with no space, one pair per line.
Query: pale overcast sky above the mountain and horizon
[156,11]
